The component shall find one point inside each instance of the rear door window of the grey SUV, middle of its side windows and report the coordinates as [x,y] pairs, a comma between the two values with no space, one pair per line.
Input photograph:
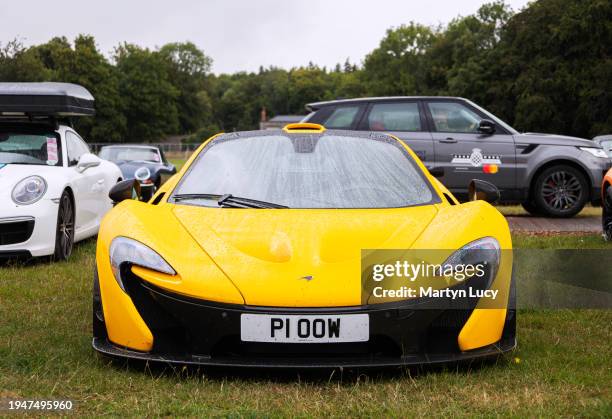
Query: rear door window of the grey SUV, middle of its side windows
[394,117]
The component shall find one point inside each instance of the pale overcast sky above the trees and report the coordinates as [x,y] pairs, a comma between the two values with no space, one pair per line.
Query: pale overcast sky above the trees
[240,35]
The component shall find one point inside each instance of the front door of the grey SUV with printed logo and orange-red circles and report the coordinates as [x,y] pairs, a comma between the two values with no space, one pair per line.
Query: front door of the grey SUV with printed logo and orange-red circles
[465,153]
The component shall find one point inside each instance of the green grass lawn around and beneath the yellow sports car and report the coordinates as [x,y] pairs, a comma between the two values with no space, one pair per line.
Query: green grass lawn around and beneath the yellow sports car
[562,366]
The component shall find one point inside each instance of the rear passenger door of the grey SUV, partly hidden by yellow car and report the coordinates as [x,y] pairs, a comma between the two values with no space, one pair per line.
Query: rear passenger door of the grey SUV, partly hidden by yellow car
[405,120]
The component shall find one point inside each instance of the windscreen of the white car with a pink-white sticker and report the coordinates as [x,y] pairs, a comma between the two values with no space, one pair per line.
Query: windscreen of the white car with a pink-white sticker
[42,148]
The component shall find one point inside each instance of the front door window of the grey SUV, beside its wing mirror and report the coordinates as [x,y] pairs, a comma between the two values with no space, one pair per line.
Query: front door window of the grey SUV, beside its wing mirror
[453,117]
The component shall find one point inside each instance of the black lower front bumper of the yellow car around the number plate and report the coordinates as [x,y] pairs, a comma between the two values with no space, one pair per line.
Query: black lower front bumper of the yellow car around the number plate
[192,331]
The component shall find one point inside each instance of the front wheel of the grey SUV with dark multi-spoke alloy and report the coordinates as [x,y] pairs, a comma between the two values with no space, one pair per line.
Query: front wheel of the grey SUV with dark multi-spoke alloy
[560,191]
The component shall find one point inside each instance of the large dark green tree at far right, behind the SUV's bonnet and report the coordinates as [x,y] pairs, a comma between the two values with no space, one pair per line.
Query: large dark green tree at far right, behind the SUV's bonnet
[558,66]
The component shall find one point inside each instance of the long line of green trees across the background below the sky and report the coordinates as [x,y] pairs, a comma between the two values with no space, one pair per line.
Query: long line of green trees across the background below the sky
[545,69]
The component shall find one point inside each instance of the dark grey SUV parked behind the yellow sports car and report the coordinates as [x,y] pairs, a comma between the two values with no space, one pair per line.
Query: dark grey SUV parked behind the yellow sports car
[548,174]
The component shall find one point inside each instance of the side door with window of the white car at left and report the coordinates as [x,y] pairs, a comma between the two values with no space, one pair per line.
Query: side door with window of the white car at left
[88,185]
